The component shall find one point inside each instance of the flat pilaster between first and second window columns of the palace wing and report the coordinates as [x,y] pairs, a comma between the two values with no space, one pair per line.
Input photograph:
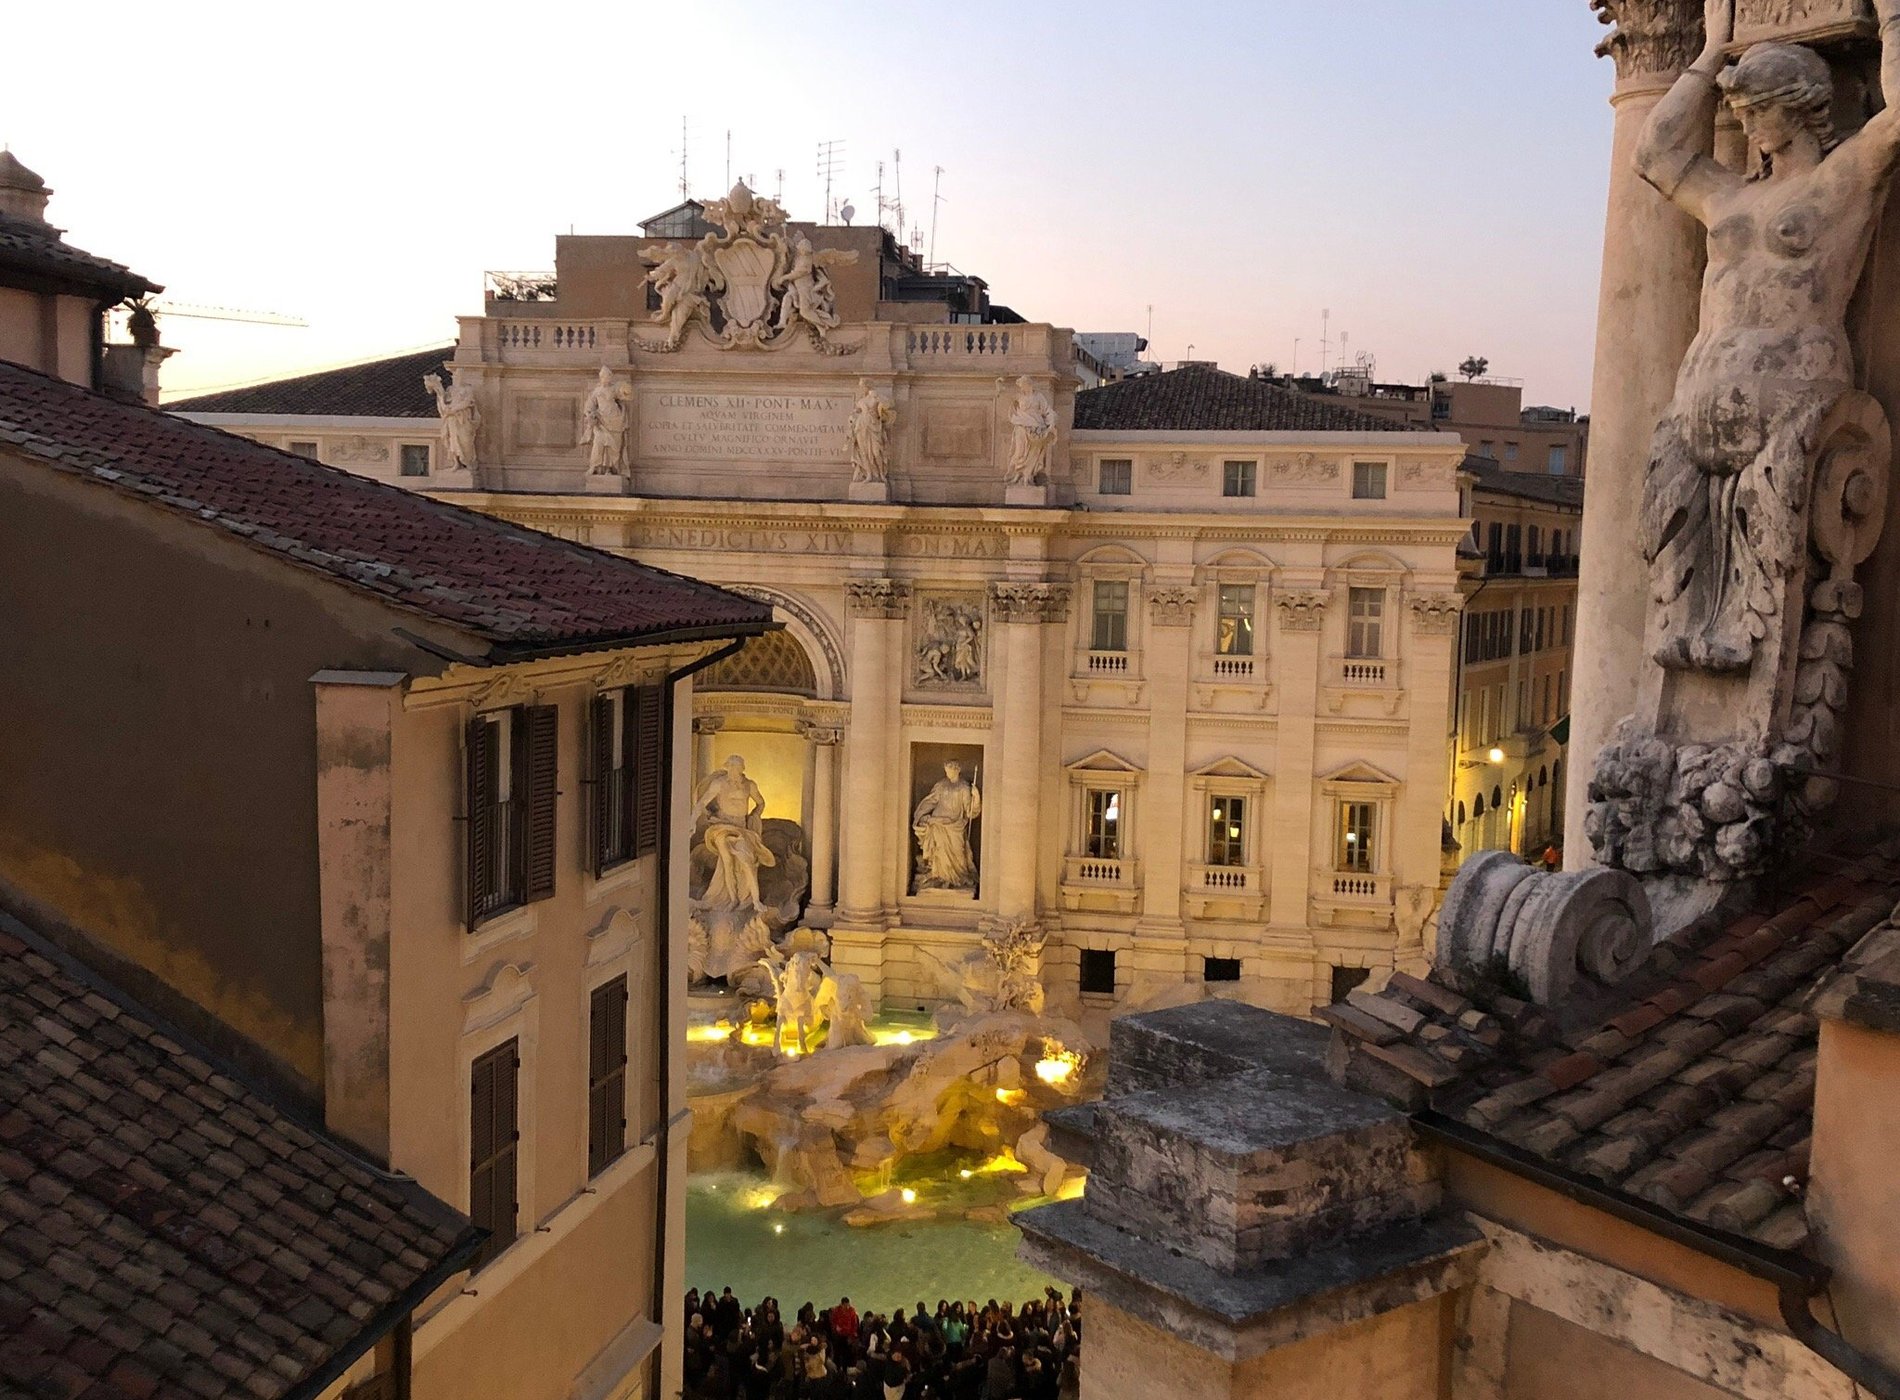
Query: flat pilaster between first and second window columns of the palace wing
[1164,801]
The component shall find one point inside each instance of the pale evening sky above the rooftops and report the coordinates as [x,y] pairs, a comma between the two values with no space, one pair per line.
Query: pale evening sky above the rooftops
[1430,170]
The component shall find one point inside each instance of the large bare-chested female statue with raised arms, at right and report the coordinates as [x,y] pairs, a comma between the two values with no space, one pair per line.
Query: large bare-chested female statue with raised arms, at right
[1726,495]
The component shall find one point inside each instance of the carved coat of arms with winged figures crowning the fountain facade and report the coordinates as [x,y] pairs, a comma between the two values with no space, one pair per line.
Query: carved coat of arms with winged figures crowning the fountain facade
[757,286]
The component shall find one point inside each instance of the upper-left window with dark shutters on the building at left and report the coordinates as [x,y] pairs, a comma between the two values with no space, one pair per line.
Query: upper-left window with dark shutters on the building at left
[510,808]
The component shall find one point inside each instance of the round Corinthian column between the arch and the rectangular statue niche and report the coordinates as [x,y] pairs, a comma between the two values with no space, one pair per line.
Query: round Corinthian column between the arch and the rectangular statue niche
[877,611]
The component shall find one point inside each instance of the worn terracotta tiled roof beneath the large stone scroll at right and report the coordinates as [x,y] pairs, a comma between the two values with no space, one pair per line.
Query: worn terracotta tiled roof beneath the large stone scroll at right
[1694,1091]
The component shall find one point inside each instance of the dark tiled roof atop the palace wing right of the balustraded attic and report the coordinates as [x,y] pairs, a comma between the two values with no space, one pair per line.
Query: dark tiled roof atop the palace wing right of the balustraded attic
[1204,400]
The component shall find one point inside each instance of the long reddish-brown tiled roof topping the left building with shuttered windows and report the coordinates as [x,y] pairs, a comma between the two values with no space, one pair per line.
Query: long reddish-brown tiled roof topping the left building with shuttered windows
[514,588]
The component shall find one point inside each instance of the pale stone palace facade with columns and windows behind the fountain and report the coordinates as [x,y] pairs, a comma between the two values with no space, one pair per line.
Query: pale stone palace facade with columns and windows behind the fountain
[1190,637]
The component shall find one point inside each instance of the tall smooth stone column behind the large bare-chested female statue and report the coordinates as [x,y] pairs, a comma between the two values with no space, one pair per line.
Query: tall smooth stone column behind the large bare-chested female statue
[1644,322]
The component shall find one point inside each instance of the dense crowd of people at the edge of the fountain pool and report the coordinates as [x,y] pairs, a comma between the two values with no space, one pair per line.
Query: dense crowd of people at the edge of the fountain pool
[959,1352]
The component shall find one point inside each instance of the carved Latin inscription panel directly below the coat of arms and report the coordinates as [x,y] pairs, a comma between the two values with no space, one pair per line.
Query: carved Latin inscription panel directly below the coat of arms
[746,426]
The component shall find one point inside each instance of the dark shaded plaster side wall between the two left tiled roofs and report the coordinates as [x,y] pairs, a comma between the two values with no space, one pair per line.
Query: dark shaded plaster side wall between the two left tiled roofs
[161,793]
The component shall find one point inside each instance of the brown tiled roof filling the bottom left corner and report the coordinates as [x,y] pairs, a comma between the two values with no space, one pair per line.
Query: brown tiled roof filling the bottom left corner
[168,1232]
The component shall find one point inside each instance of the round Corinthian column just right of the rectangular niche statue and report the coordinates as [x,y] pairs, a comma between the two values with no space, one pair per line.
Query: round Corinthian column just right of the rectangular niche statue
[1014,803]
